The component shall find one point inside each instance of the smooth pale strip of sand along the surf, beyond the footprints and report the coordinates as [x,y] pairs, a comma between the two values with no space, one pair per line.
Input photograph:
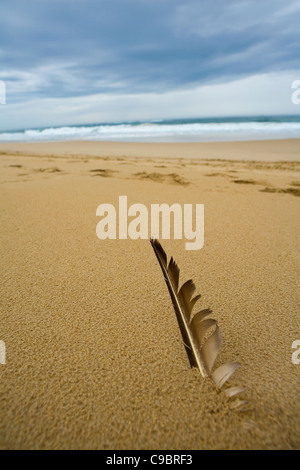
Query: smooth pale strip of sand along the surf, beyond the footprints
[254,150]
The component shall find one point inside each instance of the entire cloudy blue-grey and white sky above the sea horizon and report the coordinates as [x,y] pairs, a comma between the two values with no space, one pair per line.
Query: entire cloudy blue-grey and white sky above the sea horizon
[88,61]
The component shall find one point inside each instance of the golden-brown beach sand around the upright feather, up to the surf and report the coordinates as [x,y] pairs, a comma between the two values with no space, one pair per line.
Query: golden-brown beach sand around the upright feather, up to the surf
[95,358]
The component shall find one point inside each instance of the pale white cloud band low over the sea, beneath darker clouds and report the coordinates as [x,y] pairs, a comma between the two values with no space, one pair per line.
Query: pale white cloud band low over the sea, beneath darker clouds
[246,96]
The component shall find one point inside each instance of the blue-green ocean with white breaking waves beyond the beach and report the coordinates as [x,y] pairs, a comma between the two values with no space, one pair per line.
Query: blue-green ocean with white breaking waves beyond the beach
[175,130]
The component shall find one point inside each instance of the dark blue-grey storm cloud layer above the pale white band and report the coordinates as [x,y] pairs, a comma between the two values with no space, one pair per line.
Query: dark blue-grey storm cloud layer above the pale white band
[61,48]
